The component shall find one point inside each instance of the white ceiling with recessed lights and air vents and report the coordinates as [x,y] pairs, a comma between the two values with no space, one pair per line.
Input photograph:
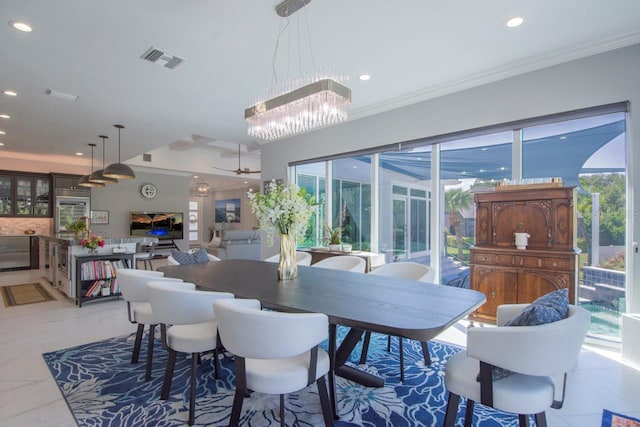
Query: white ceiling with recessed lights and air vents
[413,49]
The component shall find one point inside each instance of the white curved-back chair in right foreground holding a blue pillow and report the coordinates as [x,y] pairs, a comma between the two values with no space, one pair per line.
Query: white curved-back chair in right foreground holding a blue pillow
[538,358]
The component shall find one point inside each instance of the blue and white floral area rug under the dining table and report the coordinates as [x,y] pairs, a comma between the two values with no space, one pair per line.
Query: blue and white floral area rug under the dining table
[102,388]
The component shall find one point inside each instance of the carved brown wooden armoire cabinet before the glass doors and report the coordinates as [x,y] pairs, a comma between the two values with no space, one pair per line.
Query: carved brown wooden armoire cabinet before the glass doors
[507,275]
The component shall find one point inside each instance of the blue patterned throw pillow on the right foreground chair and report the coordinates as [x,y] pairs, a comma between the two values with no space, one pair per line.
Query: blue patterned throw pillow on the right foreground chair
[548,308]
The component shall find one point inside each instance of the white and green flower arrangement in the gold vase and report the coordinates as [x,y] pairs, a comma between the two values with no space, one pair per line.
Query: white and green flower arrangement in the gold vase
[285,209]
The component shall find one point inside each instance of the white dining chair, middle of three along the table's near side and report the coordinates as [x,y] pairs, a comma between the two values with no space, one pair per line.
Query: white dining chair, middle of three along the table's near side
[188,326]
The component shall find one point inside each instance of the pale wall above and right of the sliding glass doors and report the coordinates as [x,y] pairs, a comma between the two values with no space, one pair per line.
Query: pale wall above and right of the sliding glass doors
[597,80]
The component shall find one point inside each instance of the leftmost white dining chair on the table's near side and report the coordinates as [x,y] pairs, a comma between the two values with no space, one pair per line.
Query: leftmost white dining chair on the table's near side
[132,285]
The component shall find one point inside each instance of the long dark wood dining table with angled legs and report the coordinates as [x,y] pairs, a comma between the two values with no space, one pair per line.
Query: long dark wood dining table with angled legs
[399,307]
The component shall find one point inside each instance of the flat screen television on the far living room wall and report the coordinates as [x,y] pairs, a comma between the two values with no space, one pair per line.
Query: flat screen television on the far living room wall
[163,225]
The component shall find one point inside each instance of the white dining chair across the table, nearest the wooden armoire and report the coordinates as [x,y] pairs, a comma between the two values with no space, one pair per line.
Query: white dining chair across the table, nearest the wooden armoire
[401,270]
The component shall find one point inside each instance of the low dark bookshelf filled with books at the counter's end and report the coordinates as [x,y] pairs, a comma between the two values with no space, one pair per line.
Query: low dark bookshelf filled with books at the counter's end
[97,272]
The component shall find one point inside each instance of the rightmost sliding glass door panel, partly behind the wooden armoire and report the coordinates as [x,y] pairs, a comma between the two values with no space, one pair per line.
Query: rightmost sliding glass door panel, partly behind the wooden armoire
[589,154]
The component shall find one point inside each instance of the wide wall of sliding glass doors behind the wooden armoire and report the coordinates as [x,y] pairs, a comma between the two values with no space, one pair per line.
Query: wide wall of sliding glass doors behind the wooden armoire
[584,149]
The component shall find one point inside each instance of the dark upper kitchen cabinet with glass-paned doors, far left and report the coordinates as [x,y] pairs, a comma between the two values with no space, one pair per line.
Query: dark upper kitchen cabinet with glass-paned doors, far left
[25,194]
